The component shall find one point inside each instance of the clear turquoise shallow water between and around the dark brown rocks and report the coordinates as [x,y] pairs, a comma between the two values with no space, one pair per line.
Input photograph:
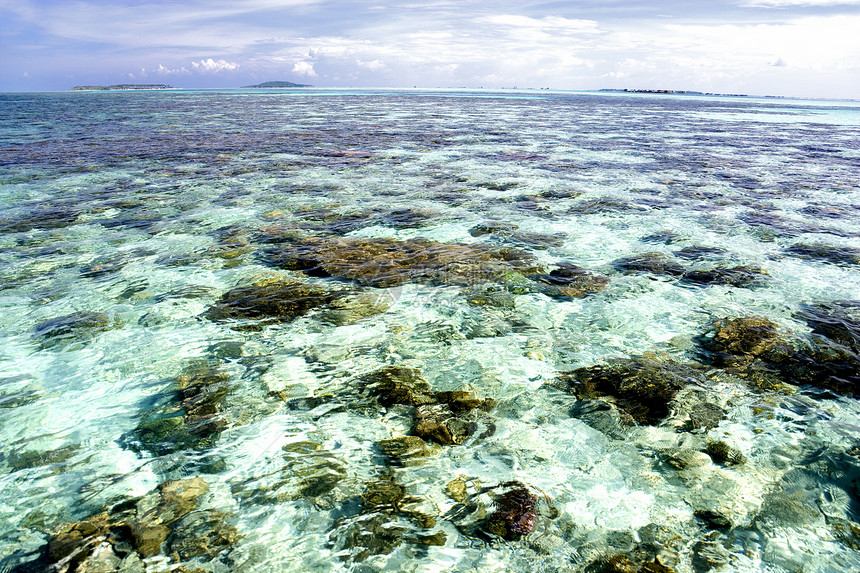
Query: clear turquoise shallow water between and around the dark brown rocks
[129,204]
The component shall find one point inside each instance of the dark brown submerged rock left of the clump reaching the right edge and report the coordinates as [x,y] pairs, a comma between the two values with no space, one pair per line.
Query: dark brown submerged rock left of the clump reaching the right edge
[642,387]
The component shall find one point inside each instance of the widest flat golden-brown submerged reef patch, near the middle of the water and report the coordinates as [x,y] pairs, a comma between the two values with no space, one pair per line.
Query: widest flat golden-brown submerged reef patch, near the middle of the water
[388,262]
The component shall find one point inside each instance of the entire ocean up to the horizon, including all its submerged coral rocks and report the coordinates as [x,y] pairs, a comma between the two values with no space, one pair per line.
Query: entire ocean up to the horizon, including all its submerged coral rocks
[411,330]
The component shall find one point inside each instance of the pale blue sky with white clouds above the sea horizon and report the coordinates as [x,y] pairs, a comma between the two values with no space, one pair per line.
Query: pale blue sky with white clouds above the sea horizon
[800,48]
